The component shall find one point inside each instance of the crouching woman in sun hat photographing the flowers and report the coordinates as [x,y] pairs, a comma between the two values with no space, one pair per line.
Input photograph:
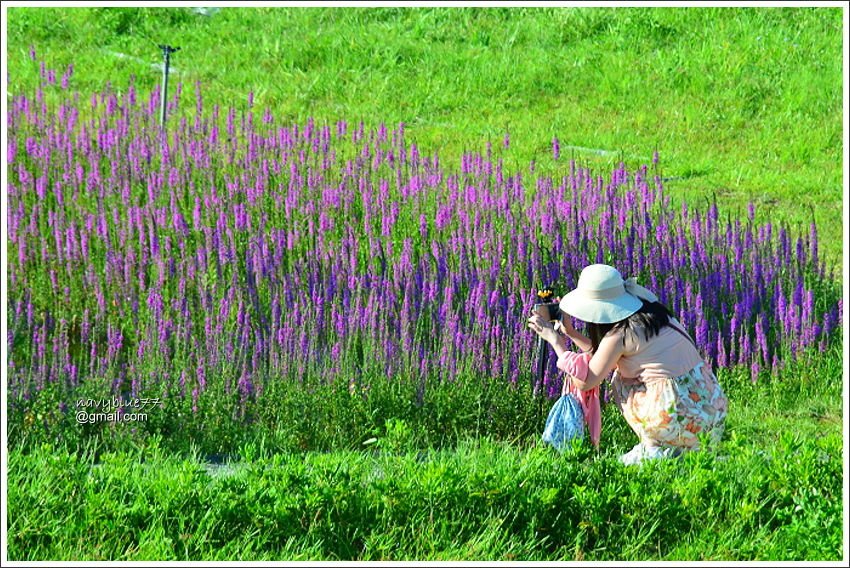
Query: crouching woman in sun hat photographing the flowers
[668,394]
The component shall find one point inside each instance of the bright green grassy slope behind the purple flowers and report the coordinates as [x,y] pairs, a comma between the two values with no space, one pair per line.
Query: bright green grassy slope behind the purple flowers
[741,103]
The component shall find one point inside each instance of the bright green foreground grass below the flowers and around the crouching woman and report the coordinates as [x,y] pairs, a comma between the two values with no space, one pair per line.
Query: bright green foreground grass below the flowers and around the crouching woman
[773,491]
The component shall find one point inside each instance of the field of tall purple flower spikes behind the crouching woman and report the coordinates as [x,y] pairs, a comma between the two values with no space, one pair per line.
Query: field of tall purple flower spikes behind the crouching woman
[235,254]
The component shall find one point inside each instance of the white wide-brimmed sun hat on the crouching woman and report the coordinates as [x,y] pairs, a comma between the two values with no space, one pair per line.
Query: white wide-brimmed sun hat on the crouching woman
[603,296]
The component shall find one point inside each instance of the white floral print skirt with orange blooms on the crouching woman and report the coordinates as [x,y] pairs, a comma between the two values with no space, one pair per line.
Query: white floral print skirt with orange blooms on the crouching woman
[673,412]
